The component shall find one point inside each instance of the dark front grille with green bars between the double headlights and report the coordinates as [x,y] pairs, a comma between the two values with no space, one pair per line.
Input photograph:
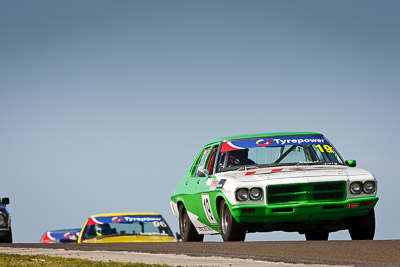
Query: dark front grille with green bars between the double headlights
[309,192]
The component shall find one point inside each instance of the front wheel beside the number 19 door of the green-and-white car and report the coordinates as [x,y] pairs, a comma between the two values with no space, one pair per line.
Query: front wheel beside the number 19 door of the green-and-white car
[230,229]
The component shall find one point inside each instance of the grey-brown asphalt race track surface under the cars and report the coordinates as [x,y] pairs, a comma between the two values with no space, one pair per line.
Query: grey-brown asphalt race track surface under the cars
[358,253]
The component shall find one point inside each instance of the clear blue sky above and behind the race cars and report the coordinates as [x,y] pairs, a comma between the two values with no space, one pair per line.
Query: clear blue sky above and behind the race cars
[105,104]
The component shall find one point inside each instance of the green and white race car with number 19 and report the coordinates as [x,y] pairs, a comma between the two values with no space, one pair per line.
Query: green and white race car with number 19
[294,182]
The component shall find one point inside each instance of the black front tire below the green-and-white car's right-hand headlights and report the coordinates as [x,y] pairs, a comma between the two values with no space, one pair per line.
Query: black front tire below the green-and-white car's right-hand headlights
[362,227]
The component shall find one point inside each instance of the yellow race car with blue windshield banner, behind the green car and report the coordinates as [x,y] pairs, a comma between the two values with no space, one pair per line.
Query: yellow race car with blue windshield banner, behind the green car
[125,228]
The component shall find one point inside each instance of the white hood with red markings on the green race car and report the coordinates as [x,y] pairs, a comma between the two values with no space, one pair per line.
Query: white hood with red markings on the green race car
[295,172]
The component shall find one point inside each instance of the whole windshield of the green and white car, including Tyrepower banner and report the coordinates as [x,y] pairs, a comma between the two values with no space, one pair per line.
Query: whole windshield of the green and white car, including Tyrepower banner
[277,151]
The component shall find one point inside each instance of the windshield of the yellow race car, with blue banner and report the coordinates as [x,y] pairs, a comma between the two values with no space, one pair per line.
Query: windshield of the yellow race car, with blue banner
[124,226]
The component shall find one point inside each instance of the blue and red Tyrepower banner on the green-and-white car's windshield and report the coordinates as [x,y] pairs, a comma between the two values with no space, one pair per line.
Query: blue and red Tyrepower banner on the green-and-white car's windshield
[272,142]
